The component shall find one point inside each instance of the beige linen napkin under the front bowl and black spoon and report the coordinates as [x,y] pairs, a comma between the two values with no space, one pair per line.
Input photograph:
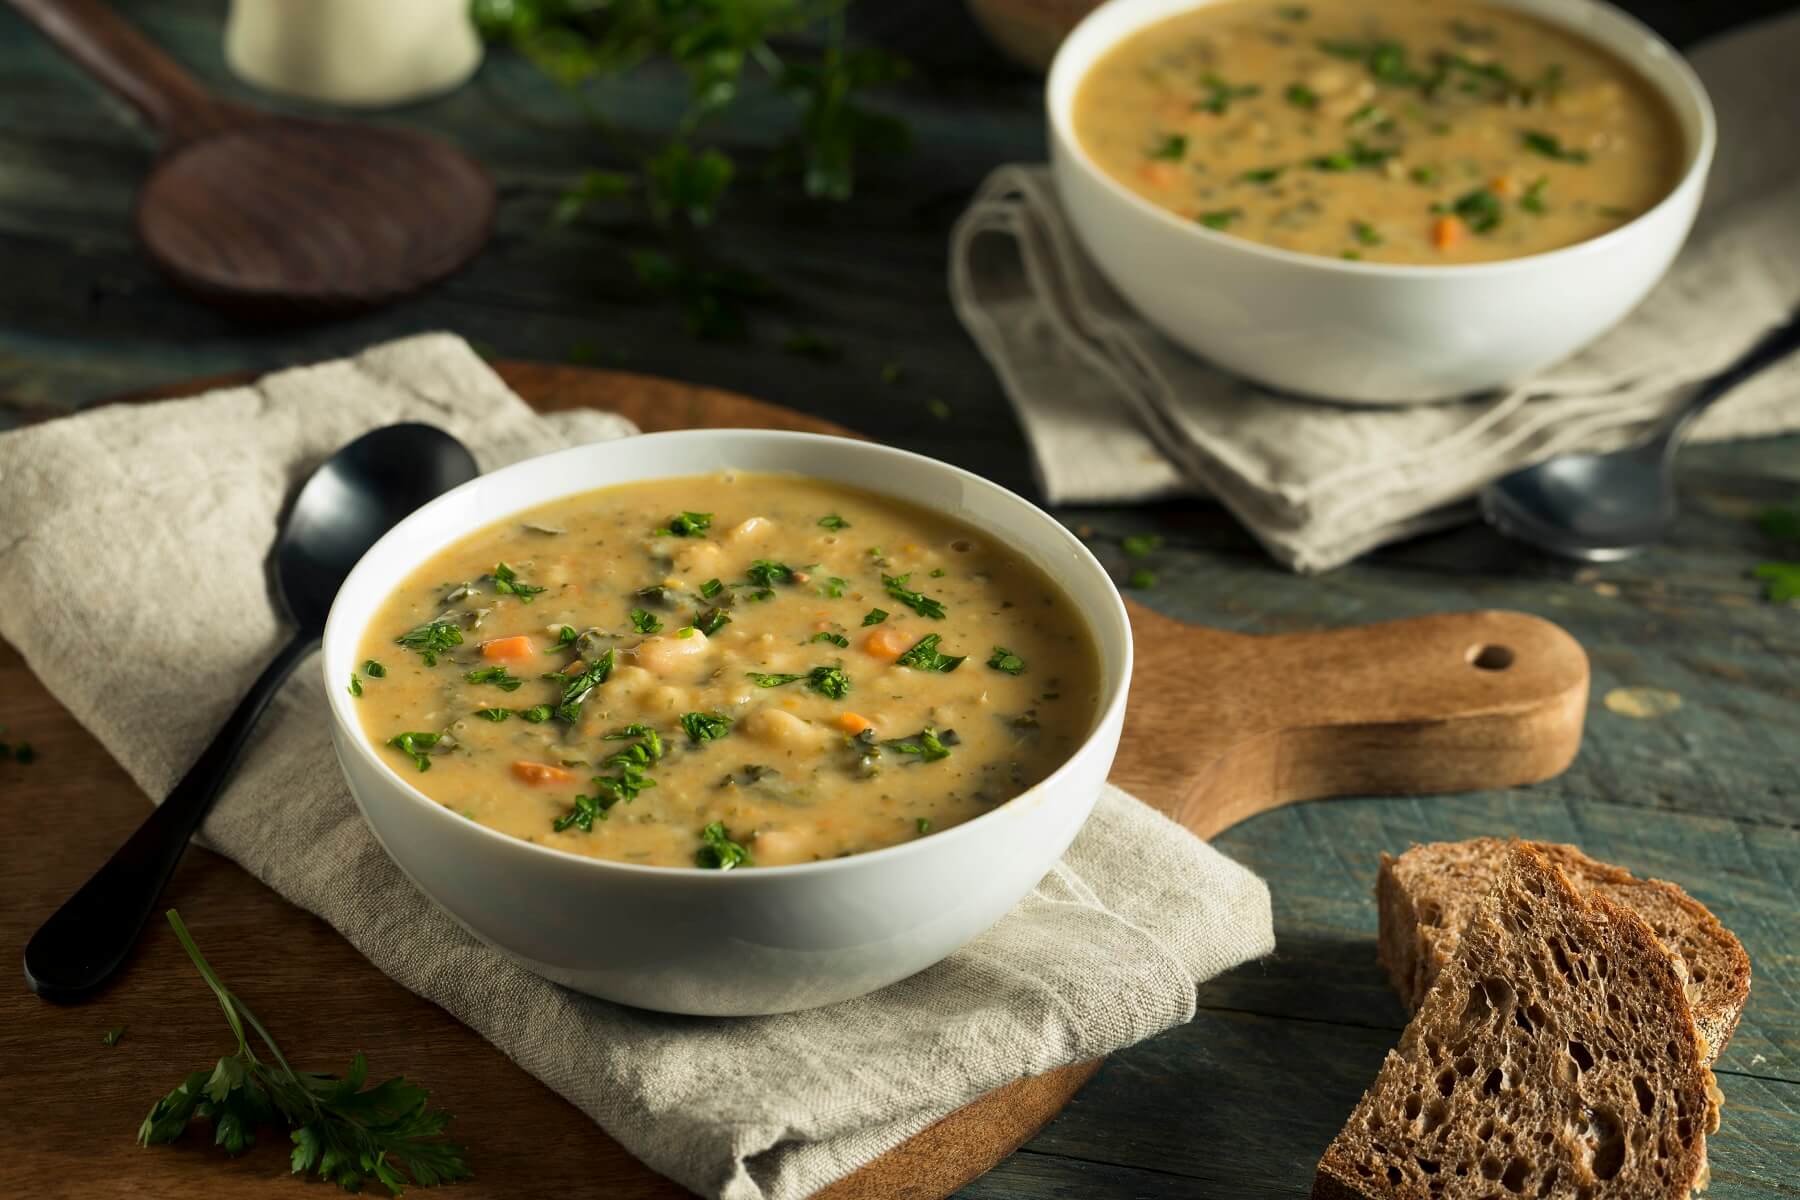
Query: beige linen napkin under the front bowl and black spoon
[132,580]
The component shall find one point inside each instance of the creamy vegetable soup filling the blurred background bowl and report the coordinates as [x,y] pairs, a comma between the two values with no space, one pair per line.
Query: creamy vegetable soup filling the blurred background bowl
[1385,130]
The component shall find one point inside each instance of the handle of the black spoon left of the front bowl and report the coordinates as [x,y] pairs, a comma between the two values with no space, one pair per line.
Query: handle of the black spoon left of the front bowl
[93,935]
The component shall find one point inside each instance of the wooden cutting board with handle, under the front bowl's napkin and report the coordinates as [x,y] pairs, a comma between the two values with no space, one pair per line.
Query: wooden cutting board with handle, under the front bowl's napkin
[1221,728]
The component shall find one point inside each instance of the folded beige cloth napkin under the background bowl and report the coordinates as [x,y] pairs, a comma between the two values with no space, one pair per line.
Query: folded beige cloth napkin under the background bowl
[1119,415]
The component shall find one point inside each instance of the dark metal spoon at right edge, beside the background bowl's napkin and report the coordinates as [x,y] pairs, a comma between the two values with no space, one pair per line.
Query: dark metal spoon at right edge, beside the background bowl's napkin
[1606,506]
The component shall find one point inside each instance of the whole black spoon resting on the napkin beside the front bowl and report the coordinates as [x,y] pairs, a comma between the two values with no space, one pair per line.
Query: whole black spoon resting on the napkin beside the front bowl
[345,508]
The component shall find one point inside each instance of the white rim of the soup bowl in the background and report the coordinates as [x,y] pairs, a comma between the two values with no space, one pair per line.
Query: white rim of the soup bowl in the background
[1068,147]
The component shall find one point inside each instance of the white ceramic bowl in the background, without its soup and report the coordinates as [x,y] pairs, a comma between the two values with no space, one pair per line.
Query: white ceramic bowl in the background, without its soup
[1372,332]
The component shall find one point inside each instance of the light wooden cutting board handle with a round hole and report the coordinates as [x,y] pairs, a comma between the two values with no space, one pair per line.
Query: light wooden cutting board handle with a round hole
[1453,703]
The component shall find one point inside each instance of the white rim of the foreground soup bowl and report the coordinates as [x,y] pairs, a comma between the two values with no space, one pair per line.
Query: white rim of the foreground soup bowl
[1115,677]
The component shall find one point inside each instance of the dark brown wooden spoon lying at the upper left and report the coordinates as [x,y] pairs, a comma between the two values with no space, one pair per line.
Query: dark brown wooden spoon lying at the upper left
[276,217]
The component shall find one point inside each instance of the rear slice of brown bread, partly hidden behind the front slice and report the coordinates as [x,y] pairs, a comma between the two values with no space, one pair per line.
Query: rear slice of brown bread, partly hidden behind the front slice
[1428,893]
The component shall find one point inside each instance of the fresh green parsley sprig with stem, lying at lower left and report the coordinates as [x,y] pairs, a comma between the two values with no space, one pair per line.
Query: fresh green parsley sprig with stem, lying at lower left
[341,1131]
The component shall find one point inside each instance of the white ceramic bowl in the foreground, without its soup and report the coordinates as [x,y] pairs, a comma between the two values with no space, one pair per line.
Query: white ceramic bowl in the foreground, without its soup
[762,940]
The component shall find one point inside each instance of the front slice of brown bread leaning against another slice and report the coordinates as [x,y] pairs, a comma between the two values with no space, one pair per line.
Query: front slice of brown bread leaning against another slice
[1556,1059]
